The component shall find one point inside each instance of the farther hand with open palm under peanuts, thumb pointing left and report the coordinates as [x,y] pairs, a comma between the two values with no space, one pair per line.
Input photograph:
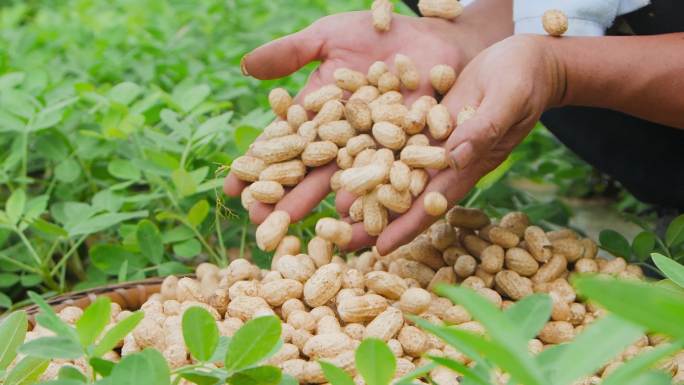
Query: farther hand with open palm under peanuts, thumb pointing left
[348,41]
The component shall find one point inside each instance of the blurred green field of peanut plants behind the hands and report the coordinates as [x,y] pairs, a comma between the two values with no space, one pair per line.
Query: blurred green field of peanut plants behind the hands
[118,120]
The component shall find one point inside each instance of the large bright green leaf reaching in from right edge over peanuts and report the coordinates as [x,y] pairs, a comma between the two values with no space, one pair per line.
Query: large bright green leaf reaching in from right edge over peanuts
[657,308]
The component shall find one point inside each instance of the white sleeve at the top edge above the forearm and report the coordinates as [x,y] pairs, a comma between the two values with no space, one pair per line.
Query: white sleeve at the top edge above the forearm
[585,17]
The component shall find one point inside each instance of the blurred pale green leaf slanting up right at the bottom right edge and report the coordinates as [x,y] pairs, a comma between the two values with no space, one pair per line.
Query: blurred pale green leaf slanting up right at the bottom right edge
[583,356]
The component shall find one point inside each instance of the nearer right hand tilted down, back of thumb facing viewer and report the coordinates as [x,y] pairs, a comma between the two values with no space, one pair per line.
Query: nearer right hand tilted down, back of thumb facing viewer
[511,83]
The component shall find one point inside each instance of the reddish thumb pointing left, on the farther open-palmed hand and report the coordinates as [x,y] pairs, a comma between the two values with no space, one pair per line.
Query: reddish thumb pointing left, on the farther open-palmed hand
[284,56]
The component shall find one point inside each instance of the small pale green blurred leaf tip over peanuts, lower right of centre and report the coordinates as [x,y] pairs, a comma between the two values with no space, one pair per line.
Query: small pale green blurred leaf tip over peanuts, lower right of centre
[530,314]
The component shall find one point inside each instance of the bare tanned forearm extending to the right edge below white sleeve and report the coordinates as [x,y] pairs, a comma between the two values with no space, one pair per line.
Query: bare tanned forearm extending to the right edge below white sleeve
[637,75]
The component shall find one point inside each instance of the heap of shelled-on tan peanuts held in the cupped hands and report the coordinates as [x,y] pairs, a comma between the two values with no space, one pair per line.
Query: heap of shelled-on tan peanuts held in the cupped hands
[376,141]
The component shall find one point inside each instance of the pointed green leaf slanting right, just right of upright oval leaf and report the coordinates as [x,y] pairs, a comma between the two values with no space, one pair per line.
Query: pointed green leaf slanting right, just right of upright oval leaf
[252,342]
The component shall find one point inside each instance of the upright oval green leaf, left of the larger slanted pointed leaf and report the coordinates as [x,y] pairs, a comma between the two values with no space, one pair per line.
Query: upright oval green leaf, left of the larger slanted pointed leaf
[200,333]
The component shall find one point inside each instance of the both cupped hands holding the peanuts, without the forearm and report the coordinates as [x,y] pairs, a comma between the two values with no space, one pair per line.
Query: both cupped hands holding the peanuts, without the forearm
[510,83]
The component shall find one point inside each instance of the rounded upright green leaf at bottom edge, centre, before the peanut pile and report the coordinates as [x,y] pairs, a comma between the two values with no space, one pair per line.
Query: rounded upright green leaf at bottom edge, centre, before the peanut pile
[375,362]
